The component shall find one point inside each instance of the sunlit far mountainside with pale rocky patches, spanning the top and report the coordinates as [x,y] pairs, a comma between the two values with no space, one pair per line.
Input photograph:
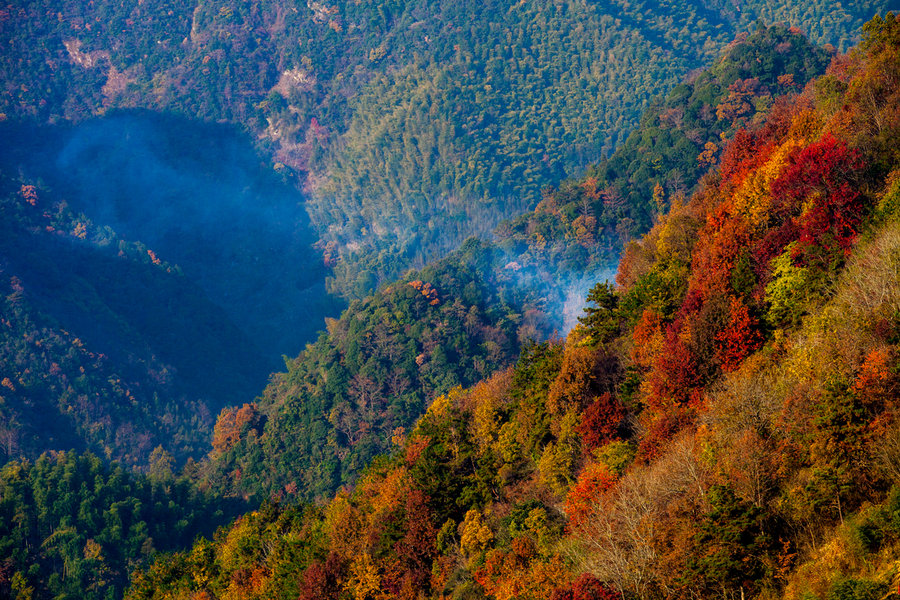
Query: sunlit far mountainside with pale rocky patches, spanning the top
[450,116]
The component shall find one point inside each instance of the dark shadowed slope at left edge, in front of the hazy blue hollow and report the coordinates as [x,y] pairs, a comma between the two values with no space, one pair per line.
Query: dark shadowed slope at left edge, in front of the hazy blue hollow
[93,351]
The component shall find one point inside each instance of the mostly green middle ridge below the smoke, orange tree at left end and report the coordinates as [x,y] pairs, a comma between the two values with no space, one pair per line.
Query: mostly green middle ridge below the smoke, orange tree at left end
[372,374]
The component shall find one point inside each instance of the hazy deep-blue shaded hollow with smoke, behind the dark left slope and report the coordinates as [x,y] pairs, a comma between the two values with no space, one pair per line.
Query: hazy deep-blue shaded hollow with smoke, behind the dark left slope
[198,196]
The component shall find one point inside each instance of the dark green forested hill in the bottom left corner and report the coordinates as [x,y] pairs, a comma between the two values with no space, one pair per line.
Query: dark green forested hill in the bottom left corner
[73,526]
